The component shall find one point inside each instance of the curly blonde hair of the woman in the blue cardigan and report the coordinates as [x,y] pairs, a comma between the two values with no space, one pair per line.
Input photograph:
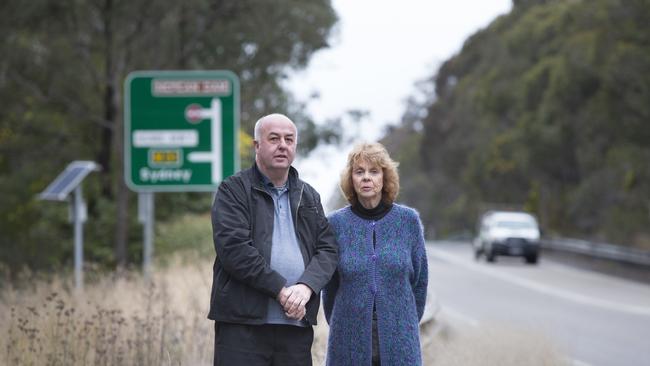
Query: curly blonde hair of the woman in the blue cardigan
[373,153]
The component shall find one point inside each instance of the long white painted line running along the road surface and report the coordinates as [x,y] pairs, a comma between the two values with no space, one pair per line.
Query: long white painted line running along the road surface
[581,299]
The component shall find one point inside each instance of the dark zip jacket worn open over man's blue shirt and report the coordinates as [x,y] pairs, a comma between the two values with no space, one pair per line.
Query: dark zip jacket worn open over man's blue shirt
[242,227]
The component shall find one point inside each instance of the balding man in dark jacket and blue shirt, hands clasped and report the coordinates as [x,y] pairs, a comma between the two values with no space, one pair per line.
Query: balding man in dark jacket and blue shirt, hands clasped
[275,251]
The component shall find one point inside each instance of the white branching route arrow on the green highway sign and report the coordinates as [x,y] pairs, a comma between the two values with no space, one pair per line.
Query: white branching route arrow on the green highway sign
[213,156]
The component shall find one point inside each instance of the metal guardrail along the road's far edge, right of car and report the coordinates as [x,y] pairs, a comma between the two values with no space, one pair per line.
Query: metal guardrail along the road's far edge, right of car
[599,250]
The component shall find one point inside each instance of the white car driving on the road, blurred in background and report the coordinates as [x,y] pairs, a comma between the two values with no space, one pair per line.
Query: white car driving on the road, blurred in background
[507,233]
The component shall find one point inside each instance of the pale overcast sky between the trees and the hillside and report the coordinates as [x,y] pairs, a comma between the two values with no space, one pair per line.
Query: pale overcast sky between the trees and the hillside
[380,49]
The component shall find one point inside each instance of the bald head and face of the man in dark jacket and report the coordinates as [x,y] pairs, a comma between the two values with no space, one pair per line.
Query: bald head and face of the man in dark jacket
[277,146]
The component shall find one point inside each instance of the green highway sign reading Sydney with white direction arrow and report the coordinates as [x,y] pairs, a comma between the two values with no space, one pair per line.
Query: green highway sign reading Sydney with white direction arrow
[180,130]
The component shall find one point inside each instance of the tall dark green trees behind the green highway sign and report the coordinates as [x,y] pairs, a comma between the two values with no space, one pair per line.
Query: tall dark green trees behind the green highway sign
[61,74]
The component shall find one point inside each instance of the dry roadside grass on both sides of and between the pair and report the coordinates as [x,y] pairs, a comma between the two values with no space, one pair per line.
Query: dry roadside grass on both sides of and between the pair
[127,321]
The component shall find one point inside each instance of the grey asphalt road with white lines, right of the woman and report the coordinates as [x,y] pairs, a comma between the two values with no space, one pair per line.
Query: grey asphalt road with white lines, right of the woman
[596,319]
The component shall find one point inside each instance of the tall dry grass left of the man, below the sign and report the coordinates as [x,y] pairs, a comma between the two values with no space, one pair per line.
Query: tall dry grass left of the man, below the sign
[123,321]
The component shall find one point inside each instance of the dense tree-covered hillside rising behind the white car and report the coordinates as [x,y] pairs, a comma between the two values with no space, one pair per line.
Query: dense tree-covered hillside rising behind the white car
[547,110]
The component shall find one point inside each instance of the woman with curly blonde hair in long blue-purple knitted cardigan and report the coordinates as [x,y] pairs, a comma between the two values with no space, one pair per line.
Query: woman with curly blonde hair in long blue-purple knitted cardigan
[376,298]
